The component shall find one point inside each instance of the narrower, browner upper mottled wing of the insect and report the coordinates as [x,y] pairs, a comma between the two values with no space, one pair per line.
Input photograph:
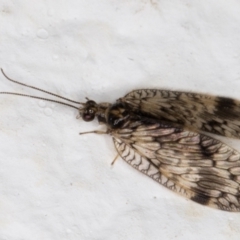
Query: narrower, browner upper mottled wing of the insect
[195,111]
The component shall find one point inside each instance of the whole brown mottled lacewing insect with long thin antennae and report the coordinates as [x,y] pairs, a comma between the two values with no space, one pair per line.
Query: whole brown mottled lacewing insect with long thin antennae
[163,134]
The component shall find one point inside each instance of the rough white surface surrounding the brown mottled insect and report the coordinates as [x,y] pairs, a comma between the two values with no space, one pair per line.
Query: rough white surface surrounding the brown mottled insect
[55,184]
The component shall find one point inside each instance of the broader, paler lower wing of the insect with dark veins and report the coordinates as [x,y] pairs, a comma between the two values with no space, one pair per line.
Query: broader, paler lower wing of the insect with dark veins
[197,166]
